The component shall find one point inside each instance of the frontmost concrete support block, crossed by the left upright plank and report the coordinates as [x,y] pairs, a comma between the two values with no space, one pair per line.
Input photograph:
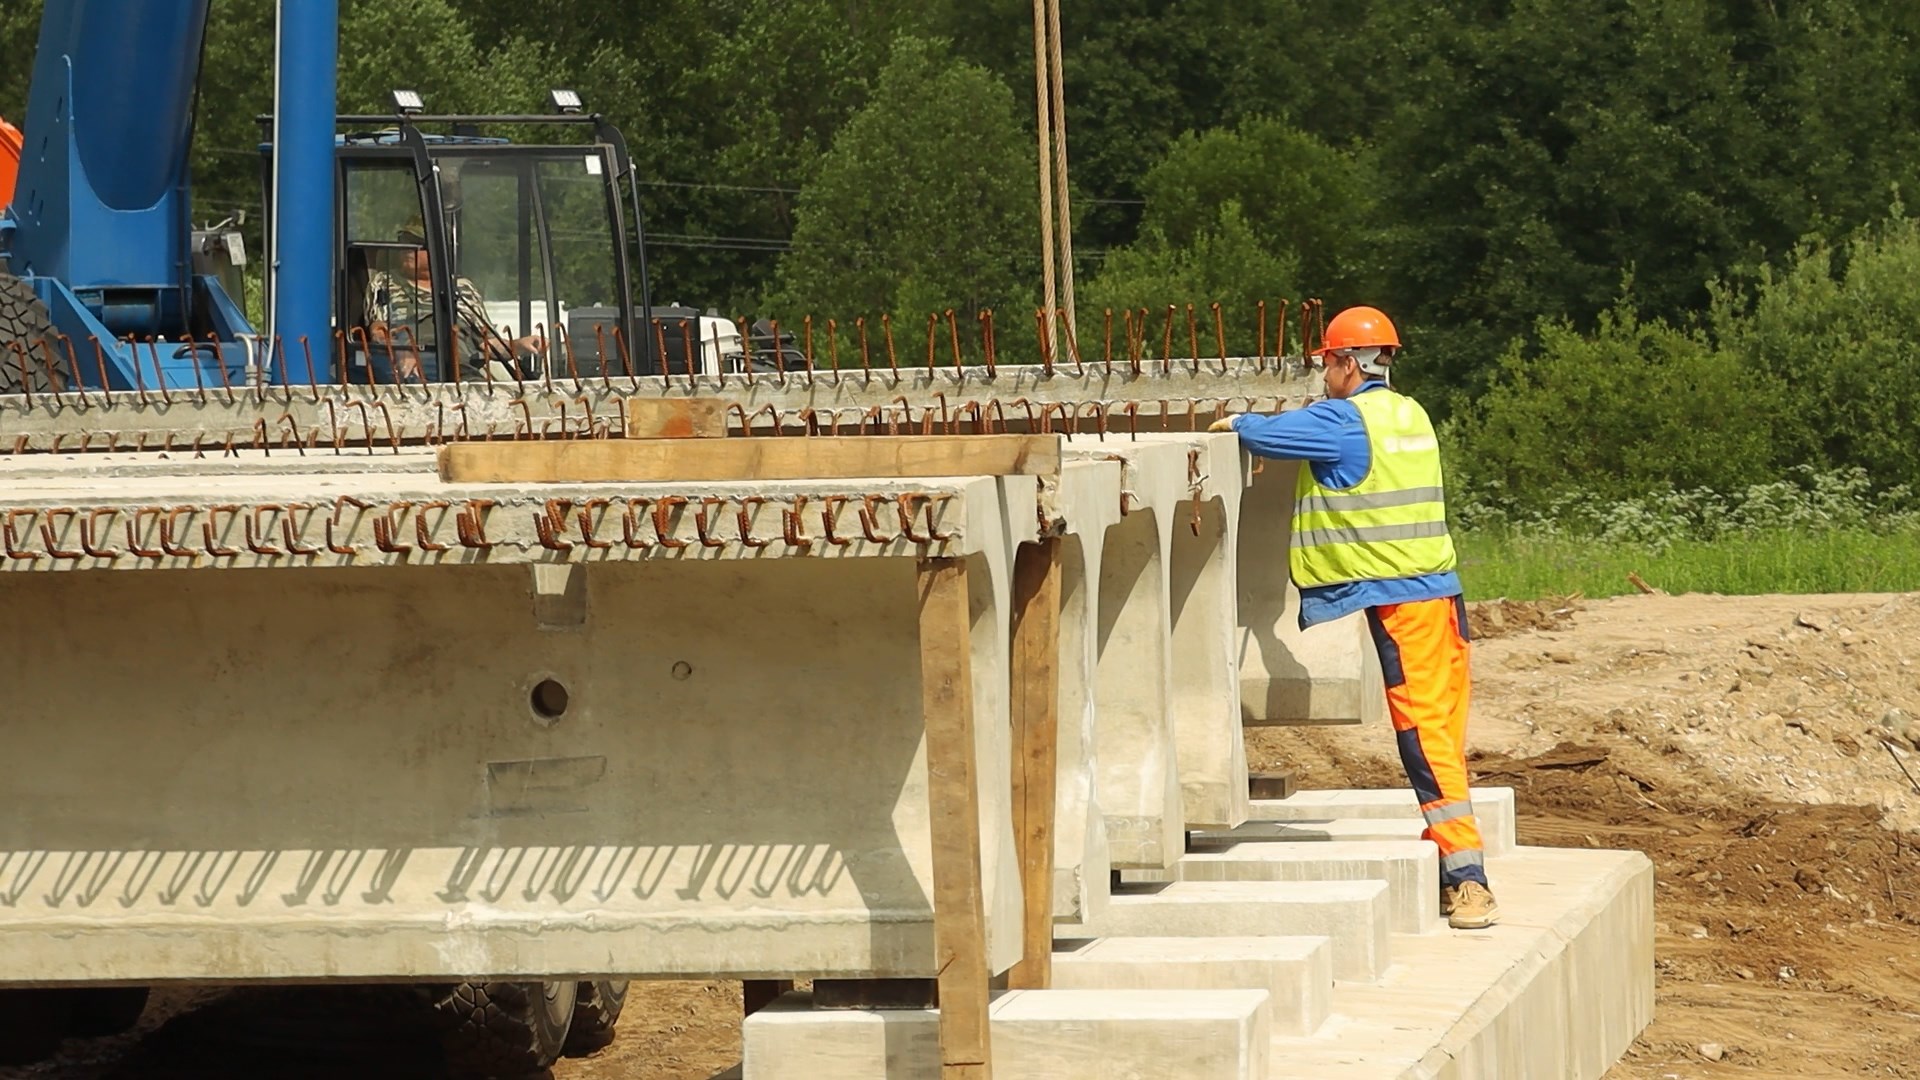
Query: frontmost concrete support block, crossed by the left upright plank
[1038,1035]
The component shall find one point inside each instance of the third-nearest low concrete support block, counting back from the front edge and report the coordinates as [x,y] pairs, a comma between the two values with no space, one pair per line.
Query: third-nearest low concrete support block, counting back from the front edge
[1353,916]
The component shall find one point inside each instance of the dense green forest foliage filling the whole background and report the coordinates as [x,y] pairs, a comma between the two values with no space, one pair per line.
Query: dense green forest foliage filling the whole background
[1635,245]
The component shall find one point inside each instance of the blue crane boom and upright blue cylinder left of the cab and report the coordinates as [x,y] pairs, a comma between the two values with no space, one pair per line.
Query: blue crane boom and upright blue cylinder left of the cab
[101,222]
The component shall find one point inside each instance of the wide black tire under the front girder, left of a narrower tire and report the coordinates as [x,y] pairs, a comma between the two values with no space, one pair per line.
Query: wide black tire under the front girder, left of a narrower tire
[506,1031]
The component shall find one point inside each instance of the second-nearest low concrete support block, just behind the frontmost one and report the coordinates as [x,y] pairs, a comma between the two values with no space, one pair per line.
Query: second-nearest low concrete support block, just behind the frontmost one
[1297,973]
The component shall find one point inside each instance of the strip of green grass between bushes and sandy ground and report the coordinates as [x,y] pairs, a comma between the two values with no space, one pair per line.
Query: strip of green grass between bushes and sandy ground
[1522,568]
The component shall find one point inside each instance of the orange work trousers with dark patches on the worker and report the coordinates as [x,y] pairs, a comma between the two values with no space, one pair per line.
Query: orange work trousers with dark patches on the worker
[1424,654]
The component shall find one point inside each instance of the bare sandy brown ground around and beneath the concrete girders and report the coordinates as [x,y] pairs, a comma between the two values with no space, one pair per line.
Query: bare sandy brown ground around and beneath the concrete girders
[1752,747]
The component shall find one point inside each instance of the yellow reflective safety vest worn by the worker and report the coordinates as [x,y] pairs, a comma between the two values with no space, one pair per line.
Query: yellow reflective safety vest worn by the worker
[1393,522]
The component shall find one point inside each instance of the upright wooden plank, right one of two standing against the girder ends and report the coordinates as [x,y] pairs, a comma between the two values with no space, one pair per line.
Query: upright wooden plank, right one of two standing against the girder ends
[1036,699]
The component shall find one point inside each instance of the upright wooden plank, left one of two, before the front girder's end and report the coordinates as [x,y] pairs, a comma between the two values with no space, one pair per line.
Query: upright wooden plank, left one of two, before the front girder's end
[953,791]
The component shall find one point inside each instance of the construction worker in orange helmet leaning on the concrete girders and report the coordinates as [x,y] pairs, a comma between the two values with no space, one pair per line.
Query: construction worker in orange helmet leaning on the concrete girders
[1370,535]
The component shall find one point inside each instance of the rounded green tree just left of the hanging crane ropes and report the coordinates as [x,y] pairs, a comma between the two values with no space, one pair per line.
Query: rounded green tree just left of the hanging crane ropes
[923,201]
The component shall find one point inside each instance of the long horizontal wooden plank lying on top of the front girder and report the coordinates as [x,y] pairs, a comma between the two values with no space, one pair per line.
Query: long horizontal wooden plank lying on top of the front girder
[786,458]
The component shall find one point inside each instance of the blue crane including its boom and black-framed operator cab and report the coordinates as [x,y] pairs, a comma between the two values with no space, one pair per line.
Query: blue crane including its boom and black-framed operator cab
[385,289]
